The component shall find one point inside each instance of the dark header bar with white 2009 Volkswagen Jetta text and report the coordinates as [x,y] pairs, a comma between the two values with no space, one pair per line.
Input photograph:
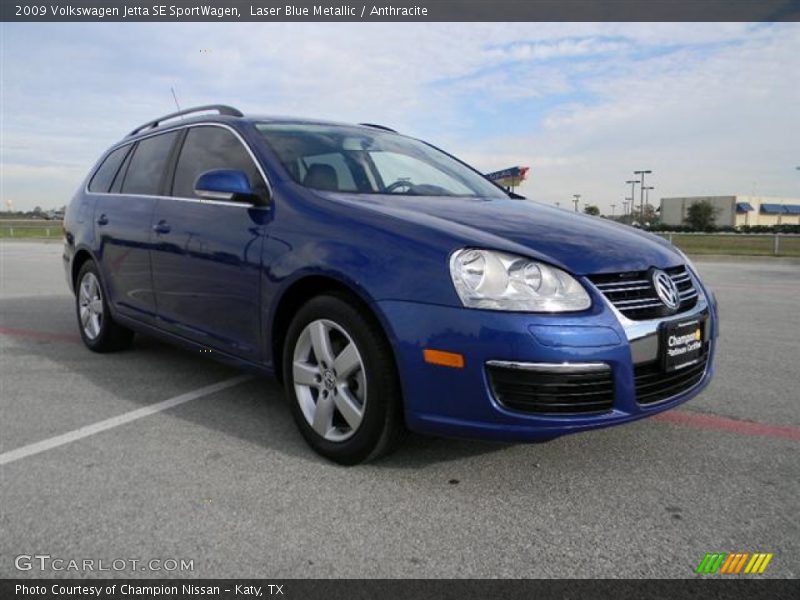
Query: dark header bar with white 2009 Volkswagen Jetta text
[400,10]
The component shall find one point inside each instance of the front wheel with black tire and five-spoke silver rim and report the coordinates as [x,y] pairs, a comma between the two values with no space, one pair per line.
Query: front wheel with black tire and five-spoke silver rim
[341,382]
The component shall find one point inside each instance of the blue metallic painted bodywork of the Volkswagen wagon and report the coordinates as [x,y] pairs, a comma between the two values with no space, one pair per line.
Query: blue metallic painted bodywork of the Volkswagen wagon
[216,277]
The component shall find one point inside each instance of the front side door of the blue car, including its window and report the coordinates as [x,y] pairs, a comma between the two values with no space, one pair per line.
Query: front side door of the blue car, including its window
[207,253]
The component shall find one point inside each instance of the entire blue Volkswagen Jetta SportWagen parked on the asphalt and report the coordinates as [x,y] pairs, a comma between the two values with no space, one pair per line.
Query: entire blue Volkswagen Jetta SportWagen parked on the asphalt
[387,284]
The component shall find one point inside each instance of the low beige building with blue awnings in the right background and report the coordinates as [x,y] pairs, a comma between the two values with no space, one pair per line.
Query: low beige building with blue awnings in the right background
[736,211]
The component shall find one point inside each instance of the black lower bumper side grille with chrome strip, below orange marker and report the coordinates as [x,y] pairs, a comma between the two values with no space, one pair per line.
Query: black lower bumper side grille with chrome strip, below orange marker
[548,392]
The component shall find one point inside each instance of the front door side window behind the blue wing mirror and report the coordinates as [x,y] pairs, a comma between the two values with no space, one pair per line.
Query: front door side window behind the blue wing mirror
[206,148]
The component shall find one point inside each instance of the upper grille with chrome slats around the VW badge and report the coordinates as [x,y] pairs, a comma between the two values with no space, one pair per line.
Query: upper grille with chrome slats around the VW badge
[635,297]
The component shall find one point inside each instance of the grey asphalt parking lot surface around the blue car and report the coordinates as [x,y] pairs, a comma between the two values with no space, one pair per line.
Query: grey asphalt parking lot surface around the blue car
[225,480]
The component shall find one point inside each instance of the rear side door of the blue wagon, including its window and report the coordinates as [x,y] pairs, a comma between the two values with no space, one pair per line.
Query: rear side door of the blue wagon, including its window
[123,221]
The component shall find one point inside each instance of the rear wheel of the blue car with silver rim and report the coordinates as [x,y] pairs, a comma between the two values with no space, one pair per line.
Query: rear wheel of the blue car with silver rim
[98,329]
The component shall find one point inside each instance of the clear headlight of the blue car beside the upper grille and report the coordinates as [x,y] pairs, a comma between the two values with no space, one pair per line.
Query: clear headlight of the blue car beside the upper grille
[500,281]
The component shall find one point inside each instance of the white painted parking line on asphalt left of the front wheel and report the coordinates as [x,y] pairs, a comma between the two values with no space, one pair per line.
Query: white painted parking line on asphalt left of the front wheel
[134,415]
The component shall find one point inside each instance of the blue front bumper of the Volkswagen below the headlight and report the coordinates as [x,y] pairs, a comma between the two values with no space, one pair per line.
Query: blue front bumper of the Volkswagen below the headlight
[460,402]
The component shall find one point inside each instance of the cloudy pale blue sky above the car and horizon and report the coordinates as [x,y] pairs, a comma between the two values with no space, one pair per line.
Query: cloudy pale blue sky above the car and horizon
[710,108]
